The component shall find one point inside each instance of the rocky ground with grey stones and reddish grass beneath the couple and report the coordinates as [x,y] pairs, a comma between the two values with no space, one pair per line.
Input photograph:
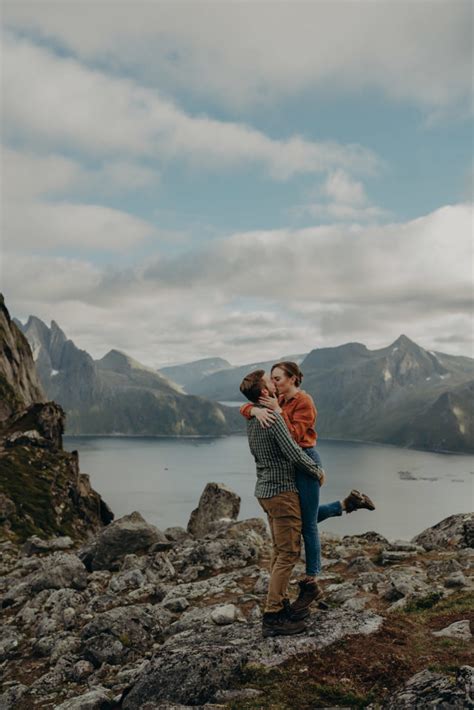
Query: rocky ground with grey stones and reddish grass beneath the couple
[140,618]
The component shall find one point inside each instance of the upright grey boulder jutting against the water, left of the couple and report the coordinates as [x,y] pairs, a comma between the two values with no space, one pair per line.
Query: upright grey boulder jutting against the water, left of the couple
[216,502]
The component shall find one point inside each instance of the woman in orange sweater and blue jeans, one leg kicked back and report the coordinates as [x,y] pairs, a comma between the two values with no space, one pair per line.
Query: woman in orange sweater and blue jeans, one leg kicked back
[297,408]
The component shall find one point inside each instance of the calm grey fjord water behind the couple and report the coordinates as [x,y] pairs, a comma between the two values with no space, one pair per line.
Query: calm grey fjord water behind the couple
[163,479]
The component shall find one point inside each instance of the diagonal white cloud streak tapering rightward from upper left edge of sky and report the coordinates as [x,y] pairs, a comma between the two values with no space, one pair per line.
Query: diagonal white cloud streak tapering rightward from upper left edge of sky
[82,109]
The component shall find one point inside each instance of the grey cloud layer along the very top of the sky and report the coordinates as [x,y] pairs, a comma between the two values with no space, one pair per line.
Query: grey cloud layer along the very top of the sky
[260,53]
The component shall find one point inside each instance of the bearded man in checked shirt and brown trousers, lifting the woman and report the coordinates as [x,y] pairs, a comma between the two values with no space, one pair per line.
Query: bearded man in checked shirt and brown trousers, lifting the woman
[276,455]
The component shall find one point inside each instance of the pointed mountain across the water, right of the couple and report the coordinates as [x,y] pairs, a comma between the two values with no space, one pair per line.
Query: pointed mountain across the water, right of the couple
[401,394]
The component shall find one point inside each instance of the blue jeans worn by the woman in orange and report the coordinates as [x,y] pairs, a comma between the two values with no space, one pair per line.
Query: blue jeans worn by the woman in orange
[312,513]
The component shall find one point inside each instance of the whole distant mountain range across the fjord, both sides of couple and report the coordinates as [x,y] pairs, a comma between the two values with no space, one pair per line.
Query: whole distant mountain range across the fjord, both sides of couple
[401,394]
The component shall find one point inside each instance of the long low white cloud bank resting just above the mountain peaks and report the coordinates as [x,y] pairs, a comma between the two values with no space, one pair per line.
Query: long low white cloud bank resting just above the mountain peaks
[255,295]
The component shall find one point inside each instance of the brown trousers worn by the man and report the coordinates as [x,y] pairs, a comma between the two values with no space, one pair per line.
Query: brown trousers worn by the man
[284,517]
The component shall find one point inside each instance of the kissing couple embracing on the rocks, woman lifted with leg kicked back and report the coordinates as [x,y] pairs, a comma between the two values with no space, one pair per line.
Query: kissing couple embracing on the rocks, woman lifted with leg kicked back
[282,439]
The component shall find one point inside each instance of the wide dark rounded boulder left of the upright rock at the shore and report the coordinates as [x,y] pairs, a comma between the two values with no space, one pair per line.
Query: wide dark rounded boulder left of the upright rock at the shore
[128,534]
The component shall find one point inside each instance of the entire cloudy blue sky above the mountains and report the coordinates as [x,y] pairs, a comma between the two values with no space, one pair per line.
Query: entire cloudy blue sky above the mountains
[246,180]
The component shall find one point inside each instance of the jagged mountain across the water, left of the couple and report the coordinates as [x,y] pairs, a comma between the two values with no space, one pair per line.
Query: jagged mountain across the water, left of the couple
[117,394]
